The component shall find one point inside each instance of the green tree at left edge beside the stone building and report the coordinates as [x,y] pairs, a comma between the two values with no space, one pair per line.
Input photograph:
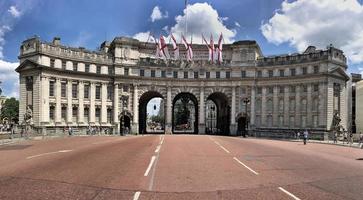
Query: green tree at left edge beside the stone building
[10,110]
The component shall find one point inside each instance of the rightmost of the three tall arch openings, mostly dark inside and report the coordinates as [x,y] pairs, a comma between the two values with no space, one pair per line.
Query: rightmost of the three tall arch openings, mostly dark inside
[218,109]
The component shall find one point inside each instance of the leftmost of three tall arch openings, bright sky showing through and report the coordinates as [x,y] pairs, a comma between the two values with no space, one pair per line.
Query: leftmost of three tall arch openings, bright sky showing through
[151,113]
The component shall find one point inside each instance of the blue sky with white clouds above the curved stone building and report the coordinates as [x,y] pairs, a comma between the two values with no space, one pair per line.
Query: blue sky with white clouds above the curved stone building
[278,26]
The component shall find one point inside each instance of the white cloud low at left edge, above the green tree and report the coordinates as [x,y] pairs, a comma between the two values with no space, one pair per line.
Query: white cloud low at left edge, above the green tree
[9,79]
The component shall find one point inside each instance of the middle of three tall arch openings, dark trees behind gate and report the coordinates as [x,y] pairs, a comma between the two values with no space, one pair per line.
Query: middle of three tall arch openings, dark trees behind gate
[185,114]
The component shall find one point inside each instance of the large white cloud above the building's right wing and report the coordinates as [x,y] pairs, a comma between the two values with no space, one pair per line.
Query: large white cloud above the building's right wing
[319,22]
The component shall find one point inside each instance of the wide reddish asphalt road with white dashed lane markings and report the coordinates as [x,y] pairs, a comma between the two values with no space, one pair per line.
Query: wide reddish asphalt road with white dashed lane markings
[178,167]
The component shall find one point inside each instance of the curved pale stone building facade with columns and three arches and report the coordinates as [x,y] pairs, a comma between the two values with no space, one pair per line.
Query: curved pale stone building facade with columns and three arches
[76,87]
